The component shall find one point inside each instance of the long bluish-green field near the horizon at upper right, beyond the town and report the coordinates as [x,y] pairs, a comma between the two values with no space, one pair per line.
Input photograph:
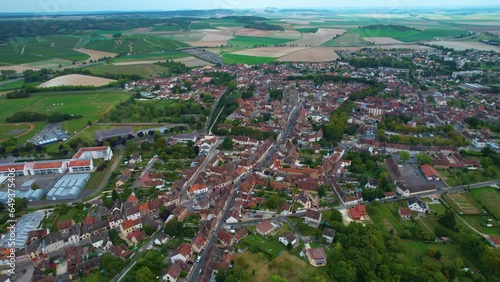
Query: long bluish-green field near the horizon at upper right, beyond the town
[409,35]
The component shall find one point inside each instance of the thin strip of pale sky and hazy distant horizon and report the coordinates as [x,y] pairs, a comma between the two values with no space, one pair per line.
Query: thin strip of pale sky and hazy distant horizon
[64,6]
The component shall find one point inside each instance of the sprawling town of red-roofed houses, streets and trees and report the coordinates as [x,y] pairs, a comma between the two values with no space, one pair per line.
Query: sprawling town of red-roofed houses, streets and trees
[280,161]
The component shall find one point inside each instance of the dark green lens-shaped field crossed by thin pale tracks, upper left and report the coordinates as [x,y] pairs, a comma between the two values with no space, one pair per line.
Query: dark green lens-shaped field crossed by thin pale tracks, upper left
[135,44]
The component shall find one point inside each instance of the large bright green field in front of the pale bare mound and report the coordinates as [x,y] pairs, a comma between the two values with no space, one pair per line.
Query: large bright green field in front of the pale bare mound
[90,104]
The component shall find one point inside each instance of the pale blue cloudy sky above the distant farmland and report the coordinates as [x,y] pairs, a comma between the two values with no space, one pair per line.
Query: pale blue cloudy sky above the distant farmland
[57,6]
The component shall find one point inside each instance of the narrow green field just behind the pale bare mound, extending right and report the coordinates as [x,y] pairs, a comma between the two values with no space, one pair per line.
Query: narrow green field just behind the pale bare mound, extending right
[143,70]
